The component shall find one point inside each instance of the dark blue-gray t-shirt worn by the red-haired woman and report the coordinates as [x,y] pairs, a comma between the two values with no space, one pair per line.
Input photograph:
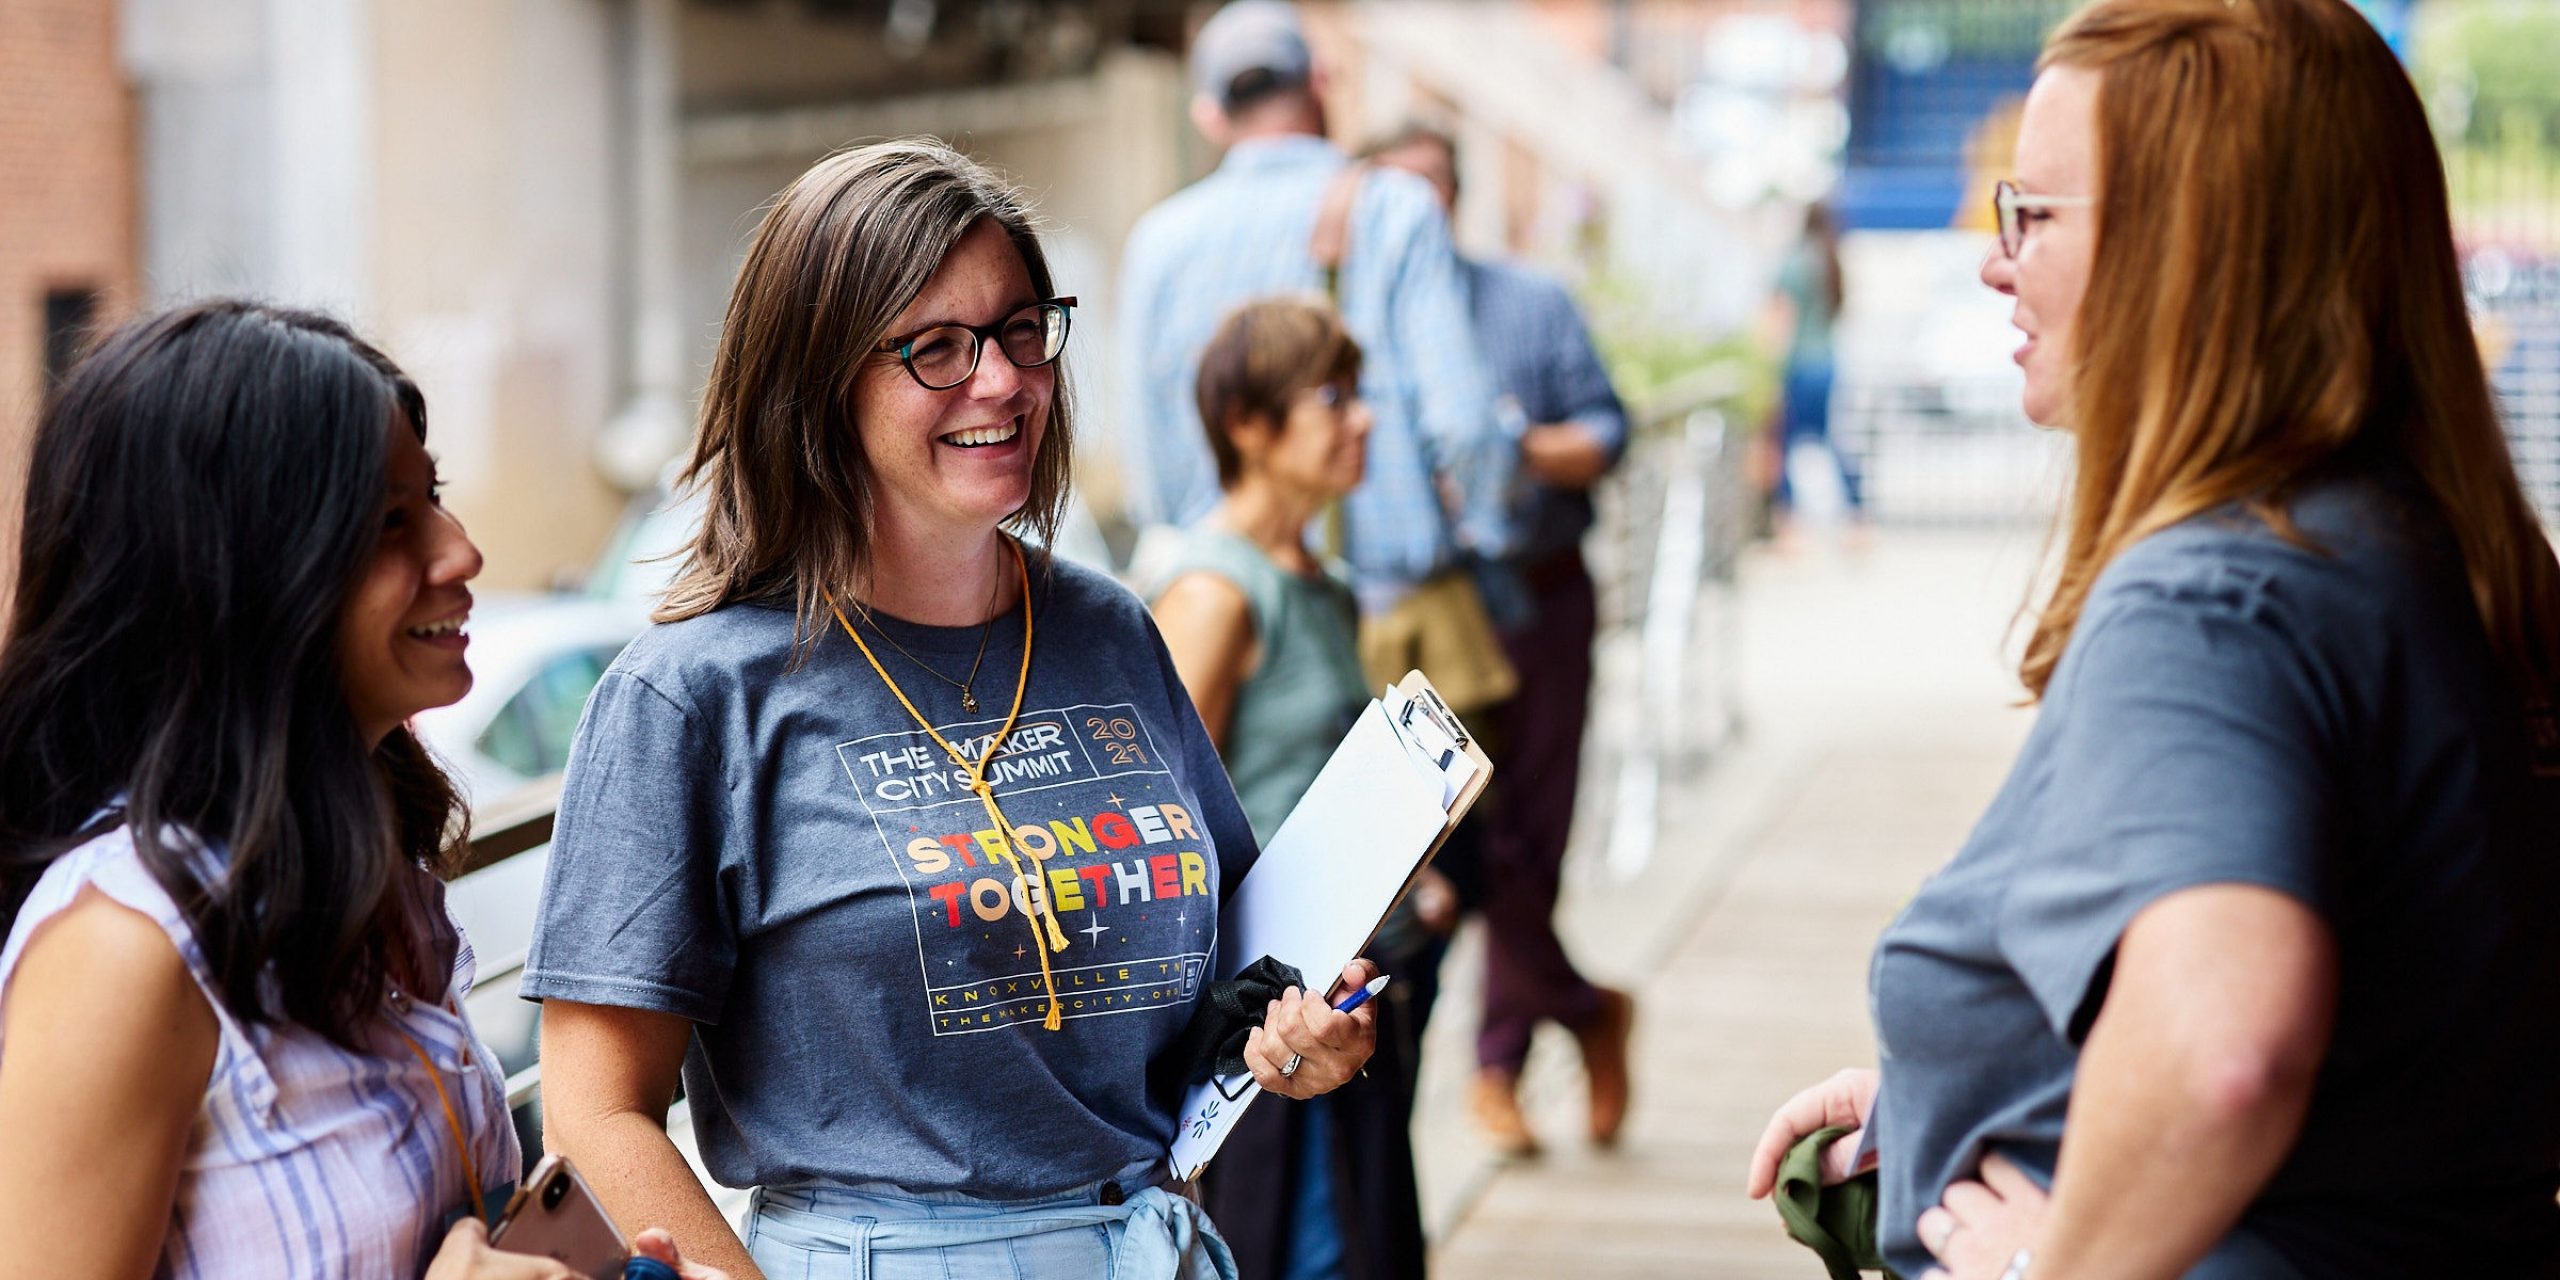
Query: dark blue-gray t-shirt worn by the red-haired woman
[2321,723]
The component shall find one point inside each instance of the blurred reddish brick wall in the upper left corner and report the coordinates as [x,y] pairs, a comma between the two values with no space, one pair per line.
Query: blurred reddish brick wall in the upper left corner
[65,201]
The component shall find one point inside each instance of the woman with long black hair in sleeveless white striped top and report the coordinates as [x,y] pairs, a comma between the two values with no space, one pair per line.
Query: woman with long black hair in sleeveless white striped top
[232,1036]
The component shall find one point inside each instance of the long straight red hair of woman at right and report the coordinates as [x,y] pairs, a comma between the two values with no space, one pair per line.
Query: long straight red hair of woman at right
[2277,280]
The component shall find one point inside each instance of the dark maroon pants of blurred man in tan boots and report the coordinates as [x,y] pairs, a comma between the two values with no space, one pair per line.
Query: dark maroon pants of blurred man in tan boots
[1537,767]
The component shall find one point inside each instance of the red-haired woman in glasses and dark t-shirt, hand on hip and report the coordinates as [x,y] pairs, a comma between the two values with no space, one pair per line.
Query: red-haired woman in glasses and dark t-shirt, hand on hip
[2249,969]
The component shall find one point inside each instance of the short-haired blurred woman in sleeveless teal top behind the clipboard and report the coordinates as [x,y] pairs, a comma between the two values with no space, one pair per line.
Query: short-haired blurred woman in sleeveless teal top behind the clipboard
[1266,639]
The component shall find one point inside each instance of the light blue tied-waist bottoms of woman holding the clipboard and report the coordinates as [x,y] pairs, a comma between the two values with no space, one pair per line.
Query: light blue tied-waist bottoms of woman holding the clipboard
[879,1233]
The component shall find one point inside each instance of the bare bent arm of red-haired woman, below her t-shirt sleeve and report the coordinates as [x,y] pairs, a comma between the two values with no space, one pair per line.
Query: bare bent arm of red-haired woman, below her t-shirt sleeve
[2193,1084]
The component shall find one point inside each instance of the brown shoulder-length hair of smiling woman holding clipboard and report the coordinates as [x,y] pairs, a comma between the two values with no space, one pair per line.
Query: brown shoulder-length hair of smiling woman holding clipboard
[777,457]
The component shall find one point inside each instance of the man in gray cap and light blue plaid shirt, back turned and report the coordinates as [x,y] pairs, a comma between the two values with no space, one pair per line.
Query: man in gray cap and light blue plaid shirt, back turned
[1440,460]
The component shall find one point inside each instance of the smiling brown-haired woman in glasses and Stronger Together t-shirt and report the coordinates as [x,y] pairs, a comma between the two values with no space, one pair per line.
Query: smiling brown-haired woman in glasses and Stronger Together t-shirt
[902,844]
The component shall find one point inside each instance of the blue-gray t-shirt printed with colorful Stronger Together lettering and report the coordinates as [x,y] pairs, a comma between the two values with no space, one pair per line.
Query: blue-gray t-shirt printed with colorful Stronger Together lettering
[790,861]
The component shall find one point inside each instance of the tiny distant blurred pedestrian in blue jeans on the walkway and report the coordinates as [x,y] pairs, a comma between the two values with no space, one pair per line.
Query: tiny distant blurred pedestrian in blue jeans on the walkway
[1804,314]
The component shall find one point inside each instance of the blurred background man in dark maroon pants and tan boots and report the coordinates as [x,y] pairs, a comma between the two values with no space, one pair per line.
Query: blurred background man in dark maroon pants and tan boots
[1553,380]
